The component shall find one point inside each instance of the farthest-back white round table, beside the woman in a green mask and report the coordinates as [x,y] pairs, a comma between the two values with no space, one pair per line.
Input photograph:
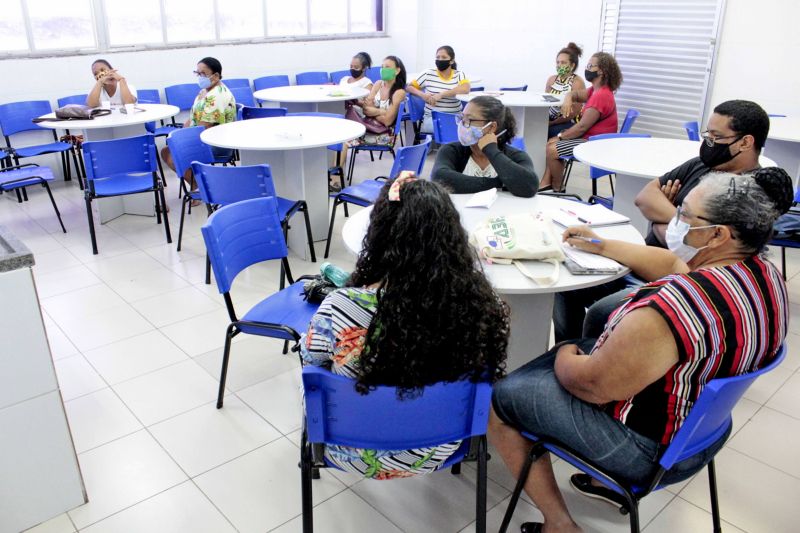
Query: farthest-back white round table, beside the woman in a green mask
[316,98]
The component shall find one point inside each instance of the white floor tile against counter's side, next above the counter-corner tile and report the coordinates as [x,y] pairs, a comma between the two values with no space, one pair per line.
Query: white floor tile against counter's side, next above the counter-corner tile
[98,418]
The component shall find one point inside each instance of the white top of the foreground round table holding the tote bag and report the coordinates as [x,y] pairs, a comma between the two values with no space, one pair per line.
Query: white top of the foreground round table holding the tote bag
[507,279]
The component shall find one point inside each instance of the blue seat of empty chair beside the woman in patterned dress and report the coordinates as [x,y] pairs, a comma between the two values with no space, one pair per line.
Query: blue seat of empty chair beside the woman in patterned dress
[286,307]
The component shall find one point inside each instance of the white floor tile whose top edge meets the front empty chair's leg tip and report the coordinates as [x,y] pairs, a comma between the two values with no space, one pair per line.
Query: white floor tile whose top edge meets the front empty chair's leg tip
[206,437]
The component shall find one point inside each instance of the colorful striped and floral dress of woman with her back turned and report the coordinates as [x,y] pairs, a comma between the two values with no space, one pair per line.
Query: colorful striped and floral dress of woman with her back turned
[335,340]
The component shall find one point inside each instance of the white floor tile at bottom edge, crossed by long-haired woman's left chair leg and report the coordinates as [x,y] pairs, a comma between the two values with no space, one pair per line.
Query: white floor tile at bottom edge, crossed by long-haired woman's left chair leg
[261,490]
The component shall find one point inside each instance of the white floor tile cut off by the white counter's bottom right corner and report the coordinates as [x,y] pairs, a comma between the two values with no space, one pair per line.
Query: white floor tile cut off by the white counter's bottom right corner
[122,473]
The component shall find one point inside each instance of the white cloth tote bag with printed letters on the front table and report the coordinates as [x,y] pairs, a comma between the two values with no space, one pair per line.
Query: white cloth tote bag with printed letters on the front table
[508,238]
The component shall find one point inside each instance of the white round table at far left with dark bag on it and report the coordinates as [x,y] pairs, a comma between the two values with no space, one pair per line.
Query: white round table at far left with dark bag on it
[116,126]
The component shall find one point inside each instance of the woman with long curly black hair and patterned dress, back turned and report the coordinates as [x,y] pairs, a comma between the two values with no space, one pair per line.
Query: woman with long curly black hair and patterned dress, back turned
[417,311]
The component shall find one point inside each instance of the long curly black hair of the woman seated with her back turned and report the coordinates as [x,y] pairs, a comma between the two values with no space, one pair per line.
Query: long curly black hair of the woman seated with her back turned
[438,318]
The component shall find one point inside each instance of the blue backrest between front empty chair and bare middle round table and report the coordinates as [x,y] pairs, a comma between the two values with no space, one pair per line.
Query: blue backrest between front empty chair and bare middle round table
[227,185]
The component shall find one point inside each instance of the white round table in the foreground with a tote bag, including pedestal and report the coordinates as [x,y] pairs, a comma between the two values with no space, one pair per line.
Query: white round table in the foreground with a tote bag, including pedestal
[531,305]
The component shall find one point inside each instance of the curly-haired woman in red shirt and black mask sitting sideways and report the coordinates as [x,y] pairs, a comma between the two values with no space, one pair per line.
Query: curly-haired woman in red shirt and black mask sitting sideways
[599,115]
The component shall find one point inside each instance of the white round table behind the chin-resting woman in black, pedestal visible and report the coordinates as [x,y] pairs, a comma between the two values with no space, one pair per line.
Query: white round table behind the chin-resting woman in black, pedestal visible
[533,117]
